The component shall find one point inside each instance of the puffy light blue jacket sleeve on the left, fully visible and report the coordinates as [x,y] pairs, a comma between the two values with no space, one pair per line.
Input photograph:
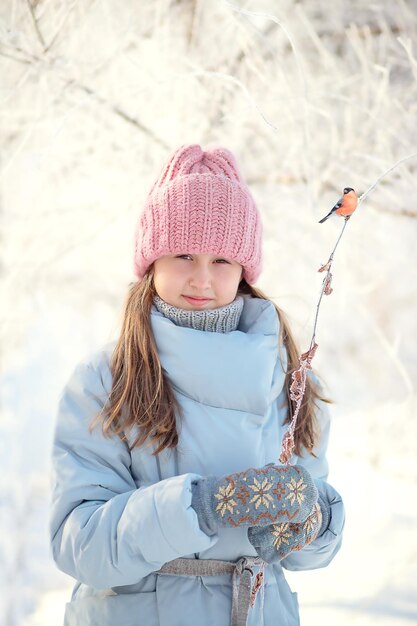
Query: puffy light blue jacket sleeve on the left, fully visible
[105,531]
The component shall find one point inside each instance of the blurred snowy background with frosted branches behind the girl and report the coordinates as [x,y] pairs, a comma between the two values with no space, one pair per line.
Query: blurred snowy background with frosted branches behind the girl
[311,96]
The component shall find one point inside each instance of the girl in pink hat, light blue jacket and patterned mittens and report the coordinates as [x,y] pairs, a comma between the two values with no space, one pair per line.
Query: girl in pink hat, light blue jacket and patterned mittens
[170,507]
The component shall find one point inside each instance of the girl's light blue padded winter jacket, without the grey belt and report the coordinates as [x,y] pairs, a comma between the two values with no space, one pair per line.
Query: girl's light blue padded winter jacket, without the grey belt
[118,516]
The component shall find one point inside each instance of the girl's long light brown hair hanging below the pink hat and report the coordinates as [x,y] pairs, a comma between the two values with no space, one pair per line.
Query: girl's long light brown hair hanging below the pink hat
[142,395]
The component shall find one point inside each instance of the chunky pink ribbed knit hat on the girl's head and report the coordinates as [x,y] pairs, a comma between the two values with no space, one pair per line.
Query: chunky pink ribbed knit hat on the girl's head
[201,205]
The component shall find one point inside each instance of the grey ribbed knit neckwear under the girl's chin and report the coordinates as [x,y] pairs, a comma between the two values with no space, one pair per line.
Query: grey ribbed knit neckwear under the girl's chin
[221,320]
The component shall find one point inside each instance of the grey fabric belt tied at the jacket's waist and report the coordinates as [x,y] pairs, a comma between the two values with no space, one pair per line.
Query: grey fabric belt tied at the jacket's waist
[243,595]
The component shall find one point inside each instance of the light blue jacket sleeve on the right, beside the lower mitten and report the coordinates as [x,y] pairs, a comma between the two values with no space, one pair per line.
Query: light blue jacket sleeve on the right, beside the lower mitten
[321,551]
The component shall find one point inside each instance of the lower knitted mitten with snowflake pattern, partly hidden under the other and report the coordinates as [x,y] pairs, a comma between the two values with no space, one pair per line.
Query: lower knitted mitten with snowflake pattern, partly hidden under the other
[276,541]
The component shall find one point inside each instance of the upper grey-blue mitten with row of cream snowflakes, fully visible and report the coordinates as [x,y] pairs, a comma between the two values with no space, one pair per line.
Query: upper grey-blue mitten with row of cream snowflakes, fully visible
[255,497]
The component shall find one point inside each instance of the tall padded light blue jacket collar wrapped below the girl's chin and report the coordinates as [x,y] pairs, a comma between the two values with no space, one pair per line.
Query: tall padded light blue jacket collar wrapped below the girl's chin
[238,370]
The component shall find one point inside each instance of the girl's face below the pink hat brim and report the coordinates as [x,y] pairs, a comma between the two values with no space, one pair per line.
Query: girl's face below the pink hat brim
[196,281]
